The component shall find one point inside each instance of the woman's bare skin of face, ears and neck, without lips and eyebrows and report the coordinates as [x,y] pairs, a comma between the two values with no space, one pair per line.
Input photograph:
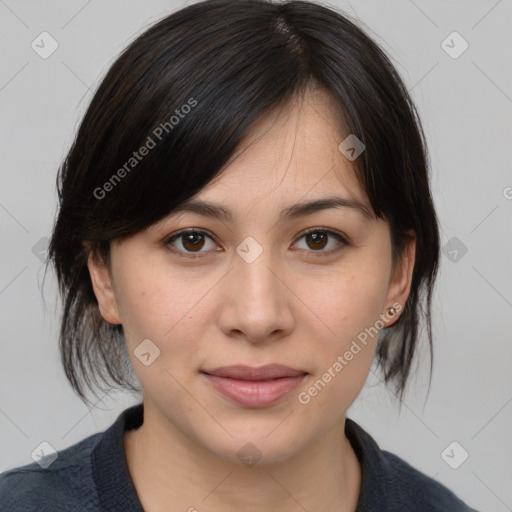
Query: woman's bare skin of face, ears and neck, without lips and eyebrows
[289,306]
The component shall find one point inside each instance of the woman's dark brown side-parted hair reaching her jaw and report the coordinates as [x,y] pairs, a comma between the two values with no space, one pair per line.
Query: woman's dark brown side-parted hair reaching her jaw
[194,83]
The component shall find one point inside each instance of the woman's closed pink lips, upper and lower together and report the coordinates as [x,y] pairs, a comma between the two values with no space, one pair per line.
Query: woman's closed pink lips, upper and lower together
[255,387]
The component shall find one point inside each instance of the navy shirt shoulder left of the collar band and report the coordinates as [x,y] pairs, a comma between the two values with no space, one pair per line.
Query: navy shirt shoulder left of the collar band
[52,483]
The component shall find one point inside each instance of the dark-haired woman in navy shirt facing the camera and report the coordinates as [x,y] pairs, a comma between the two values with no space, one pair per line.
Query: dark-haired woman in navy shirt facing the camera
[245,223]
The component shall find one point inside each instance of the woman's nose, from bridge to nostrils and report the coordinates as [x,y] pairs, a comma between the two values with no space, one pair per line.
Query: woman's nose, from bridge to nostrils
[257,300]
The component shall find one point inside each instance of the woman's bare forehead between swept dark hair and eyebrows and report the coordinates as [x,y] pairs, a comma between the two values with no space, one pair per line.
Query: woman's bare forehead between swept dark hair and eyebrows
[290,155]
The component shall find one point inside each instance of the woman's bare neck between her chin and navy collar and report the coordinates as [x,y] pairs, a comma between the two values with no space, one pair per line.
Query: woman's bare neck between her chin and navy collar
[167,468]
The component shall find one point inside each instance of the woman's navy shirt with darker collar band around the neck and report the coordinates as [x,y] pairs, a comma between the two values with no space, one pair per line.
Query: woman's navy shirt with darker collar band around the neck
[92,476]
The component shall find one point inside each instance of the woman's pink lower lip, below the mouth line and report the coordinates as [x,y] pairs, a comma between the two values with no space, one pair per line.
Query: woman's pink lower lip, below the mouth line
[255,393]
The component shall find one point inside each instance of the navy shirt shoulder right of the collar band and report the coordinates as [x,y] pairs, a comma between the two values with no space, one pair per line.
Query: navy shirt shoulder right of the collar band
[410,487]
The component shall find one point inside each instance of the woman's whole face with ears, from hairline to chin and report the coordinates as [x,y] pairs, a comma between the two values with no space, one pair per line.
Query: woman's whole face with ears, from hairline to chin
[307,291]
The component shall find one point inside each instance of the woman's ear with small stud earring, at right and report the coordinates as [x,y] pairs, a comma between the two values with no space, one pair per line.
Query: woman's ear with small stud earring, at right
[401,280]
